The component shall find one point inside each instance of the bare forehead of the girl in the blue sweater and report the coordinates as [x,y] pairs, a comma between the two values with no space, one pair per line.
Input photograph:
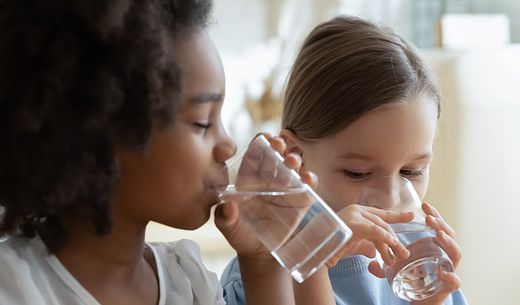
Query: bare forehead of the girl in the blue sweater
[394,130]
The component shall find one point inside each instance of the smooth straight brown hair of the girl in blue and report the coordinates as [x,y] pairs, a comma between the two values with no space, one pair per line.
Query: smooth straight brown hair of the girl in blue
[345,68]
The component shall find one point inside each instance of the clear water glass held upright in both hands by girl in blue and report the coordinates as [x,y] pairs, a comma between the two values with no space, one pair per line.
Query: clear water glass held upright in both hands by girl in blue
[416,277]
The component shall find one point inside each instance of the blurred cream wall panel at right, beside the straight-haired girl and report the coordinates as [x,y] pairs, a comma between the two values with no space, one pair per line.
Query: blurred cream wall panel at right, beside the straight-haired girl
[475,176]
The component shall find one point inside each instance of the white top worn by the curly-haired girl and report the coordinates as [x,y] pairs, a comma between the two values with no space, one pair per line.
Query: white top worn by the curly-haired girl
[29,275]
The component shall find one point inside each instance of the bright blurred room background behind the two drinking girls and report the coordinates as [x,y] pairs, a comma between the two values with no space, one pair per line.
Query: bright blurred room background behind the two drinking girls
[473,47]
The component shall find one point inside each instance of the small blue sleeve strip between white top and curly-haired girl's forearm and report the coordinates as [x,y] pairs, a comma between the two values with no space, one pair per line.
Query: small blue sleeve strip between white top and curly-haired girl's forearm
[231,282]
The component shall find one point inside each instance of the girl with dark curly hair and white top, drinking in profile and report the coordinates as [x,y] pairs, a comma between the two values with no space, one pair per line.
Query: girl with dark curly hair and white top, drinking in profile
[109,119]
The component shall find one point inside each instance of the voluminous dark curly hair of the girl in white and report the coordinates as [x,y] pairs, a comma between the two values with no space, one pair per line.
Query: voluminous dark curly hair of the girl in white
[77,79]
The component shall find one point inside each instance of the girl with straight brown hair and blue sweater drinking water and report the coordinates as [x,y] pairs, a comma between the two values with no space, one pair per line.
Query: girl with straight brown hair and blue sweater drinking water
[361,104]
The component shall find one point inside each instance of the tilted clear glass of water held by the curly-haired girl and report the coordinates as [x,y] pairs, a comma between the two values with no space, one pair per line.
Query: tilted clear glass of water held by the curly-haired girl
[287,216]
